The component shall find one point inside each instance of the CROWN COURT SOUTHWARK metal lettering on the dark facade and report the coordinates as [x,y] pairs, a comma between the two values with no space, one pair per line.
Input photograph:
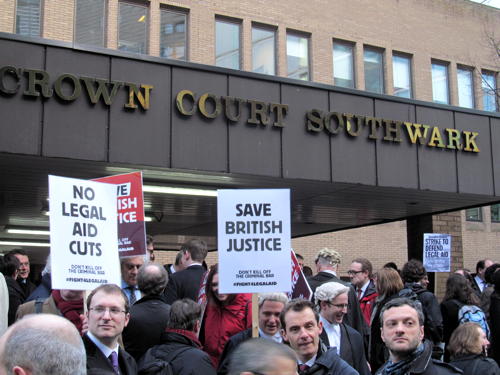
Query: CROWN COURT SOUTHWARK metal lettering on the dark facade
[70,87]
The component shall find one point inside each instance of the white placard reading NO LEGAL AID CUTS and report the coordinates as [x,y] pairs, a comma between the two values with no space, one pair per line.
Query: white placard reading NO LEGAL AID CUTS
[83,234]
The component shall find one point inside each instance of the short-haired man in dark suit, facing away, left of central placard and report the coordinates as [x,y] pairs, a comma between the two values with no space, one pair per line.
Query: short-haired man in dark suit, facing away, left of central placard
[186,283]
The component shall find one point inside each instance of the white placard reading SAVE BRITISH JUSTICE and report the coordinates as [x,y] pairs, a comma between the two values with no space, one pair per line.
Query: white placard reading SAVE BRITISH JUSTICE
[254,240]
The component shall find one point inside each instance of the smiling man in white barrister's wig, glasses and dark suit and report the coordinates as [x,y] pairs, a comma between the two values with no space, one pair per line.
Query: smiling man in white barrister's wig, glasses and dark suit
[332,301]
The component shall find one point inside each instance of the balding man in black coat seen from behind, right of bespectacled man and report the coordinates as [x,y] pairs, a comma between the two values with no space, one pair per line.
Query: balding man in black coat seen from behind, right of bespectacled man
[149,315]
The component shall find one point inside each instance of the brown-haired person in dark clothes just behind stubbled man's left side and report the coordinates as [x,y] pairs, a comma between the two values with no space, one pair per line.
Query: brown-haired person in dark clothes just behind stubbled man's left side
[388,284]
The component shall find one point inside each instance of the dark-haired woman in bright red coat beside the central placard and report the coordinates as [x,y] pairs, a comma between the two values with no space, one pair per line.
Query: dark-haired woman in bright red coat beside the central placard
[225,315]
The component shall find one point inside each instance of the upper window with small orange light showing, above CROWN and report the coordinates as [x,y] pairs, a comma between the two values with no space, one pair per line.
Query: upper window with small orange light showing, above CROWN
[132,28]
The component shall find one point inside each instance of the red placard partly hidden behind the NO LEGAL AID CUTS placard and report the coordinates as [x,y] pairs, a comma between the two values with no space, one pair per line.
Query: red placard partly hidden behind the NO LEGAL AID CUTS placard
[131,228]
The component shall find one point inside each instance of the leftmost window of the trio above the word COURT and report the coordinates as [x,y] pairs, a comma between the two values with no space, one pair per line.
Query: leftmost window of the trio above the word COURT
[227,44]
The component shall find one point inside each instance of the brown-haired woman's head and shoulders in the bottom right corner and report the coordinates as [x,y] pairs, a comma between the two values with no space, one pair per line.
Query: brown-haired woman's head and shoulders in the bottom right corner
[467,345]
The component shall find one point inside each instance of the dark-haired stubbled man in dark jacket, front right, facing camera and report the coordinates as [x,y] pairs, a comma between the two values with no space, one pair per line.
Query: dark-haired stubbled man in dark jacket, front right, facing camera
[402,331]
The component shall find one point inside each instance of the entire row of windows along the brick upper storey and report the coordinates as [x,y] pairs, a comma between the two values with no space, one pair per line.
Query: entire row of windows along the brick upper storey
[90,27]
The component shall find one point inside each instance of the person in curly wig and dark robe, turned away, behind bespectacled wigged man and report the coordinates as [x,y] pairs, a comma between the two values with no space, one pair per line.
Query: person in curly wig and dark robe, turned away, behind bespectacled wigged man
[327,262]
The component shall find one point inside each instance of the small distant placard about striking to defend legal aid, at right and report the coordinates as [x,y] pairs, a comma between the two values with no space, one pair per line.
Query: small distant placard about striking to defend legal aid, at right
[437,252]
